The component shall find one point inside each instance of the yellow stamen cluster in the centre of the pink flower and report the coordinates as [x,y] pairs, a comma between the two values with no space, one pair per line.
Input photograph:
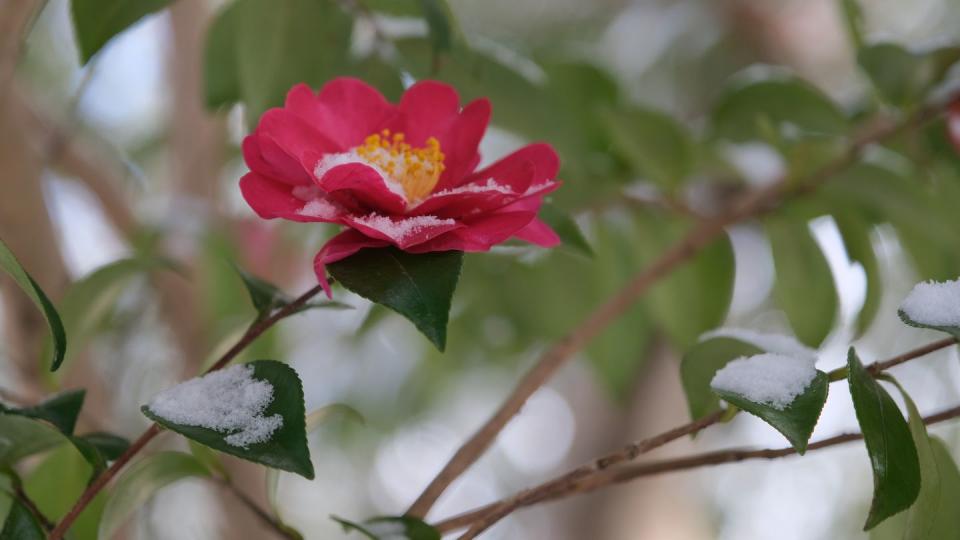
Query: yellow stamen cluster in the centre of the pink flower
[417,170]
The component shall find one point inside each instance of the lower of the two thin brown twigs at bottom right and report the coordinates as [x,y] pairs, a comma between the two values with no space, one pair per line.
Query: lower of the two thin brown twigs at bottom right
[624,474]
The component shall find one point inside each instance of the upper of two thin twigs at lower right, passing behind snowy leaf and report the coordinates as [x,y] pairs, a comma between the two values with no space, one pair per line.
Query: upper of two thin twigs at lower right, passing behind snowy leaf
[486,516]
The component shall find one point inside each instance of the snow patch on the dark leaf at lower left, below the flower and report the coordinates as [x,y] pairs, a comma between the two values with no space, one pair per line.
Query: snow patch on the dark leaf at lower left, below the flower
[229,401]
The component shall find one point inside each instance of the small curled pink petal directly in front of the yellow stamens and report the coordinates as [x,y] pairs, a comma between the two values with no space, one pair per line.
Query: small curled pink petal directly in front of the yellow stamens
[362,188]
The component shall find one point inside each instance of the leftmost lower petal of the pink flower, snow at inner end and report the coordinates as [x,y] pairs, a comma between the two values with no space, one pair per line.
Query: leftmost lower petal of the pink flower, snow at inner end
[272,199]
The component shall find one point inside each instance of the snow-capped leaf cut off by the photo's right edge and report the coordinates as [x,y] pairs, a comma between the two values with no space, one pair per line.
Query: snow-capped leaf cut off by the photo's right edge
[933,305]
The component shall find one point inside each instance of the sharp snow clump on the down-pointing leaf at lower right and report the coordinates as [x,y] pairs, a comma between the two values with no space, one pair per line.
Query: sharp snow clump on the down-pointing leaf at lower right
[773,379]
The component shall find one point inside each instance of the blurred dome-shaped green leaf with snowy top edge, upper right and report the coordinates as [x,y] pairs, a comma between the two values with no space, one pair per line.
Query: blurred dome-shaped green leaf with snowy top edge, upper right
[775,107]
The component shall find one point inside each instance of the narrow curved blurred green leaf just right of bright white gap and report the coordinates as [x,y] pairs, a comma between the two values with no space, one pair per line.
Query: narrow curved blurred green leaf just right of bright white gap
[856,239]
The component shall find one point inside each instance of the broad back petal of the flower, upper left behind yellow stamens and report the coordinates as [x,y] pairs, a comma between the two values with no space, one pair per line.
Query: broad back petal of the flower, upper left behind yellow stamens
[346,110]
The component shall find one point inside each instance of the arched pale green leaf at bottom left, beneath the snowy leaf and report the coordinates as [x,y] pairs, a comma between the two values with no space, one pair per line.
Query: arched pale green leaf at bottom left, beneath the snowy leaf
[141,481]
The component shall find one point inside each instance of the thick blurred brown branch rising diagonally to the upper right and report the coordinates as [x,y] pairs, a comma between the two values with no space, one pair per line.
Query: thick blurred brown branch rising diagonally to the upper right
[751,205]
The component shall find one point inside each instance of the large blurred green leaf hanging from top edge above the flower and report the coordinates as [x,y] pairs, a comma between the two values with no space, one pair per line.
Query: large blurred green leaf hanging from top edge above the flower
[280,44]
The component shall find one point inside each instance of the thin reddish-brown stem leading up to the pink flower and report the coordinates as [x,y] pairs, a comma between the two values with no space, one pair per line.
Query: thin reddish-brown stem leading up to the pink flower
[255,330]
